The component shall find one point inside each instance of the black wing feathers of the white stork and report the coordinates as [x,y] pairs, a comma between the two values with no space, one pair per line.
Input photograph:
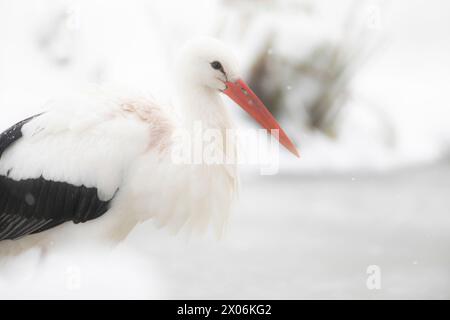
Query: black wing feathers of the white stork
[35,205]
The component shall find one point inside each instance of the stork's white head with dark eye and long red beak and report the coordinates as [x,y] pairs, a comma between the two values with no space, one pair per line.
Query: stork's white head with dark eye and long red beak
[208,63]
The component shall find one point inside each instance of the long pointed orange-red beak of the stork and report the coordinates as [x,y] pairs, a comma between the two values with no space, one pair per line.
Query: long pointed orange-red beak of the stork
[240,93]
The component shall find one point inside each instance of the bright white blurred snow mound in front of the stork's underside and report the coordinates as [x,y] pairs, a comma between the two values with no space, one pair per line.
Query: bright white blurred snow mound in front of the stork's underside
[87,272]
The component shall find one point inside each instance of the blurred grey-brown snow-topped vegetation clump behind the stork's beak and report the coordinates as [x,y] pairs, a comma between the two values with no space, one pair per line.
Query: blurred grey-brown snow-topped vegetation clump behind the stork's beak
[314,87]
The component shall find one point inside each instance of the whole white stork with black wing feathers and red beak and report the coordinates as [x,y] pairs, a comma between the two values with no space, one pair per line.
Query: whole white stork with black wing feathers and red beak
[107,162]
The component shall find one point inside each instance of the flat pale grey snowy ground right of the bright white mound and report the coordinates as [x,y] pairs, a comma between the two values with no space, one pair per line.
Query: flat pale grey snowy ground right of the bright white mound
[314,237]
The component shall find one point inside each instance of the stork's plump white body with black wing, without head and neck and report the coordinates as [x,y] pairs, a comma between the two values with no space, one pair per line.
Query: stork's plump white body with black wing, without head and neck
[110,154]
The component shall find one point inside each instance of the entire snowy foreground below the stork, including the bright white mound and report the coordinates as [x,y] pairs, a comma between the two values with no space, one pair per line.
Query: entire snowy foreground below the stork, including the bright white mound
[290,237]
